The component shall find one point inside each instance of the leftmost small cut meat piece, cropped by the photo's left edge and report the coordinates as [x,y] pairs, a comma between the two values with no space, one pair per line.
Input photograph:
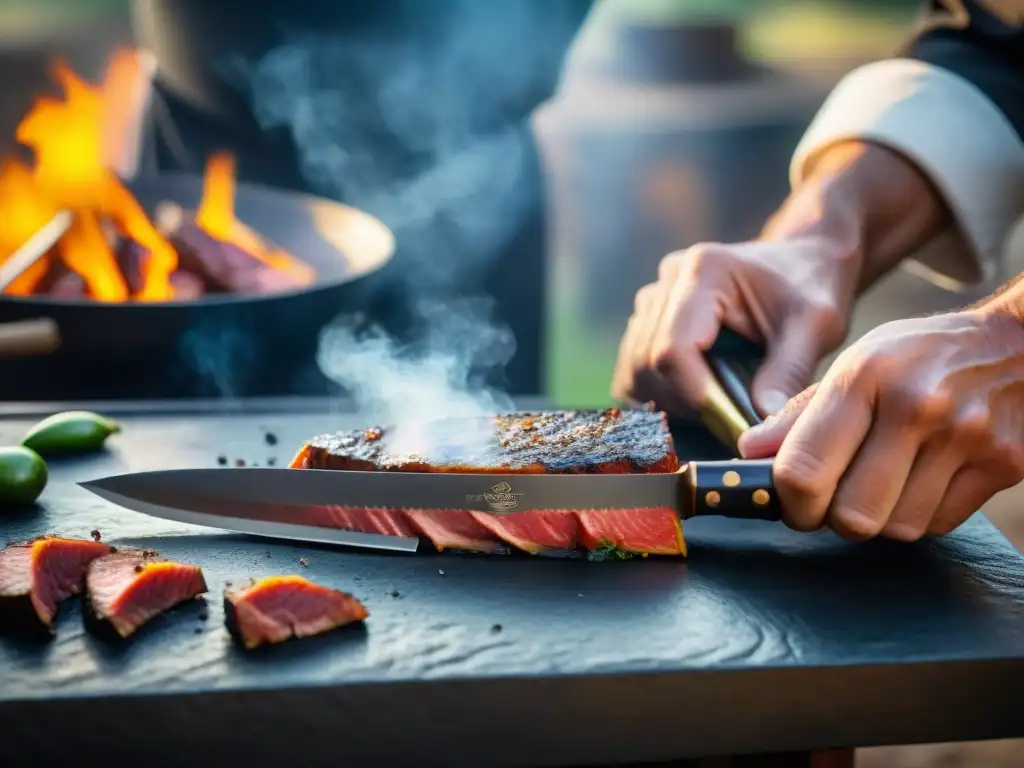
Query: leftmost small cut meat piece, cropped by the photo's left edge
[37,576]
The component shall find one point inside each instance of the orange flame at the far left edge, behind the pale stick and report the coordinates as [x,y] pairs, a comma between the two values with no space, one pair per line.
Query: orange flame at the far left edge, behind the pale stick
[24,210]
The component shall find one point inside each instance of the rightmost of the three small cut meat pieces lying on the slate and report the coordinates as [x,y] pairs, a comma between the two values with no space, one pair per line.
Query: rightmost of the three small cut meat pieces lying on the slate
[273,611]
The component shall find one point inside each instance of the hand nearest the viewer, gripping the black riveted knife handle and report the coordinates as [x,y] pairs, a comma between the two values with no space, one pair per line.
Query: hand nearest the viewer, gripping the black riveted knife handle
[913,430]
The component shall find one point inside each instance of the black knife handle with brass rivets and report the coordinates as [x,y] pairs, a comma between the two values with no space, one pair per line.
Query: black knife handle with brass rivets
[739,488]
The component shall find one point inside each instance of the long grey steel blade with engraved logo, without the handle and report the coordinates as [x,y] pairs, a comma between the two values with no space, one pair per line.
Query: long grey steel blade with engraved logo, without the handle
[305,494]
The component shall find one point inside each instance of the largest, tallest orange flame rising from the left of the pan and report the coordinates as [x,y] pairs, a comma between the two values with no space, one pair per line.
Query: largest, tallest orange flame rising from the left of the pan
[71,148]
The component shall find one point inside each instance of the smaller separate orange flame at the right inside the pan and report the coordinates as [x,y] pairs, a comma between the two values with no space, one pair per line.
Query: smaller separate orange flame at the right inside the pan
[217,218]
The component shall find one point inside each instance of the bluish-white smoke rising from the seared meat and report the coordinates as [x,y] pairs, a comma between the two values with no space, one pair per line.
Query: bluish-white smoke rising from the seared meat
[434,140]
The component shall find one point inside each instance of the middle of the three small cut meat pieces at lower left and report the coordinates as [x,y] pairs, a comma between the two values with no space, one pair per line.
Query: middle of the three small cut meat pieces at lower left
[129,588]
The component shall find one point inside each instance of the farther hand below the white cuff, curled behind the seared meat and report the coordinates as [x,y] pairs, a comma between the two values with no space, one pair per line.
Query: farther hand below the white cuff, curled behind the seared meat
[795,297]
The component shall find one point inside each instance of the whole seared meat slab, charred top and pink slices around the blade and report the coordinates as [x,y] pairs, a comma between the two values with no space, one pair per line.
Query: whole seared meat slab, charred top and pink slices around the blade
[574,442]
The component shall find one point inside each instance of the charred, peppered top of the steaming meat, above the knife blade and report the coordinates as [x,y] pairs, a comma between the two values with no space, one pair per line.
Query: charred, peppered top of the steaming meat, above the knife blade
[610,441]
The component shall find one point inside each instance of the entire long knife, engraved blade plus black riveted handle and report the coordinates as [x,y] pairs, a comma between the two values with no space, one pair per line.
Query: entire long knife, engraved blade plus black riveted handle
[307,504]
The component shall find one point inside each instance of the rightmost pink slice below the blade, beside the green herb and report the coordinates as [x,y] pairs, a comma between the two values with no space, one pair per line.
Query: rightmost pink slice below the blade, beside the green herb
[655,531]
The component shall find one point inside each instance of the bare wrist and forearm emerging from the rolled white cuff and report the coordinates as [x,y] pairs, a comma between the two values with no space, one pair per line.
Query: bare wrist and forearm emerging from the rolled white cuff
[871,201]
